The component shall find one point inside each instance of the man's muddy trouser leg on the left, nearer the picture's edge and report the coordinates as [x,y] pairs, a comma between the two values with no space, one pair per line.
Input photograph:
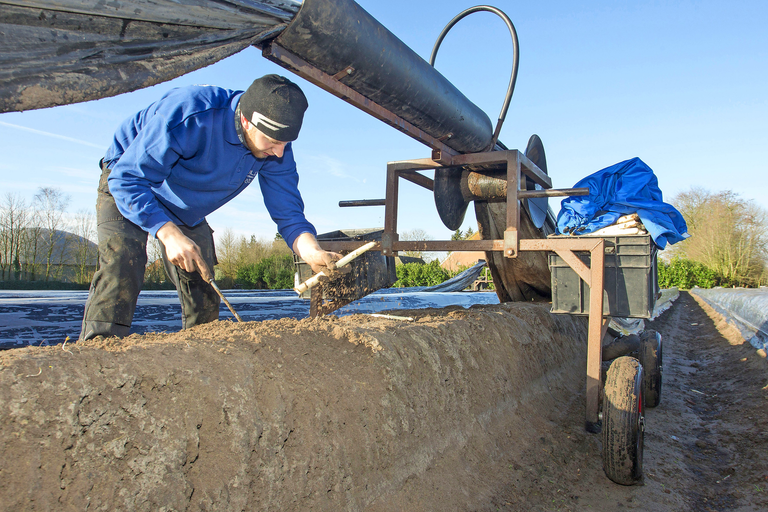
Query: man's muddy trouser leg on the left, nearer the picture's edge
[120,273]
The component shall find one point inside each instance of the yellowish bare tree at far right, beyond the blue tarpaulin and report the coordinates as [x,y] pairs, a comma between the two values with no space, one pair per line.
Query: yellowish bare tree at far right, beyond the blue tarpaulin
[728,234]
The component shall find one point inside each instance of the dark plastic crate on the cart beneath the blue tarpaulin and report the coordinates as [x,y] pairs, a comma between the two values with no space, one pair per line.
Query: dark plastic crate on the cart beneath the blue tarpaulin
[631,279]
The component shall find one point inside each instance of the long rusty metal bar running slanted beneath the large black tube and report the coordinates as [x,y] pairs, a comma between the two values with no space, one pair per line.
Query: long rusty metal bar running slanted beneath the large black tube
[276,53]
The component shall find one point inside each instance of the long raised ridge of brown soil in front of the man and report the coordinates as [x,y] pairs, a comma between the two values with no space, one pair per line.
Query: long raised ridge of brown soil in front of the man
[354,413]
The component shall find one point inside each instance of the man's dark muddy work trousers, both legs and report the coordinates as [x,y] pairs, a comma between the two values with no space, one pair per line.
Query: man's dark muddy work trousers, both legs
[120,273]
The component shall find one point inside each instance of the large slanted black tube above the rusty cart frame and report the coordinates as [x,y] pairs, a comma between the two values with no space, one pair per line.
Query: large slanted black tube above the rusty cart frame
[333,35]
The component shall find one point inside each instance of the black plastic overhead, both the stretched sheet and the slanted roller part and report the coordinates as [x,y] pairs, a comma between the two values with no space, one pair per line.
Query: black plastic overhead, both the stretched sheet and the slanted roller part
[56,52]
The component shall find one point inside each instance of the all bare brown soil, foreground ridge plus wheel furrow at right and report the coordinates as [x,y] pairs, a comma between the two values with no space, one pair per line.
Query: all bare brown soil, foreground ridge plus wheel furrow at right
[479,409]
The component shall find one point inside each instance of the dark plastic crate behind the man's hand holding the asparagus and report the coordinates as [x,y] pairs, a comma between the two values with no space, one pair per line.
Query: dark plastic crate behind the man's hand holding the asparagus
[370,271]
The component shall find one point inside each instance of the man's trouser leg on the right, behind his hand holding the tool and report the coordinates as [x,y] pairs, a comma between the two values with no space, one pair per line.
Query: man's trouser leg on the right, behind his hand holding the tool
[199,301]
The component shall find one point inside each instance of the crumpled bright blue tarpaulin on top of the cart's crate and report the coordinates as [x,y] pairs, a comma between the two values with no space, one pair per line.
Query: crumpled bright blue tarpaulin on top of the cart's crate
[624,188]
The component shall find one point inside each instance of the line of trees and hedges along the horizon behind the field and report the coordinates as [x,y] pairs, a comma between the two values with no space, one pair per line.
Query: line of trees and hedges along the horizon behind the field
[40,241]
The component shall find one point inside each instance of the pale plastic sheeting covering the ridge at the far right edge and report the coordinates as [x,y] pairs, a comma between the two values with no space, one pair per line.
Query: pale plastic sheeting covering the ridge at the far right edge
[746,308]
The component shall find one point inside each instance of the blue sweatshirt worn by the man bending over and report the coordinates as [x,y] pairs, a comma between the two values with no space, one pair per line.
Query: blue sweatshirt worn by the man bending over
[181,158]
